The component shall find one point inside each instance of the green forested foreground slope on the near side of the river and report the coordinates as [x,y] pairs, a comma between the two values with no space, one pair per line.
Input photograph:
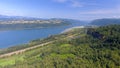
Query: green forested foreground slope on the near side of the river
[78,48]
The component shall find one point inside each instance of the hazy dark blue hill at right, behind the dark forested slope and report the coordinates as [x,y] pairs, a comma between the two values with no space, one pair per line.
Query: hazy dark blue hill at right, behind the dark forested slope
[103,22]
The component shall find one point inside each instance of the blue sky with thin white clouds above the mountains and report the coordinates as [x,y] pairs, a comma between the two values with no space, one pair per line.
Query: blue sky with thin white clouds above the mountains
[71,9]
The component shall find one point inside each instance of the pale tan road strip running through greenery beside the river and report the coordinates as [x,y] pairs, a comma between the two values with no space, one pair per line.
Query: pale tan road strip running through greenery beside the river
[23,50]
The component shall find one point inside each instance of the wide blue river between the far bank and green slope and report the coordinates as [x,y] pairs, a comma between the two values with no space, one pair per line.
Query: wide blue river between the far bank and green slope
[16,37]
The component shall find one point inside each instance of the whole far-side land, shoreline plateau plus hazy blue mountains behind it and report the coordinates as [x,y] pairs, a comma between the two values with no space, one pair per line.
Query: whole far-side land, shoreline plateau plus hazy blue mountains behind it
[19,22]
